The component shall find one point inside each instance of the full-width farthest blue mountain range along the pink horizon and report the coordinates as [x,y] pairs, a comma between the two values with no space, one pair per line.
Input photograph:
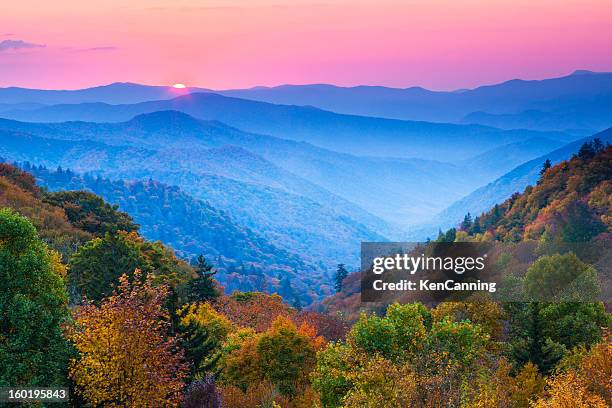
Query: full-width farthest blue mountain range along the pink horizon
[580,102]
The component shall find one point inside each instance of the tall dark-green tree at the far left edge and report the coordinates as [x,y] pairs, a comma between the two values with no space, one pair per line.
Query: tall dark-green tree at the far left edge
[33,307]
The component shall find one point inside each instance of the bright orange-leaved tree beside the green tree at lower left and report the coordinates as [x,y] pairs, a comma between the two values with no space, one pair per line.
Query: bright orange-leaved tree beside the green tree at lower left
[126,357]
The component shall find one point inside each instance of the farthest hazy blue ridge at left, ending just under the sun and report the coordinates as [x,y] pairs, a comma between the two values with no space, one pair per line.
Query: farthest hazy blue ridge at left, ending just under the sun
[119,92]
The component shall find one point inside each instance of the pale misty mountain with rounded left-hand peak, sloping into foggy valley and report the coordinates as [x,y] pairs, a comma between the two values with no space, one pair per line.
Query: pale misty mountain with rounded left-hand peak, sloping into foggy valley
[400,191]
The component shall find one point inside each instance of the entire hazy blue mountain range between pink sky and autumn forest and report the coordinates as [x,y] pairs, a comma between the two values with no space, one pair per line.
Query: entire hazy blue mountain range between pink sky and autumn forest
[301,173]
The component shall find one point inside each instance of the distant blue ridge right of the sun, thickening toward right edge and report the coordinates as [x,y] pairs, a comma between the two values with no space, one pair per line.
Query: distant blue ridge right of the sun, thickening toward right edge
[509,104]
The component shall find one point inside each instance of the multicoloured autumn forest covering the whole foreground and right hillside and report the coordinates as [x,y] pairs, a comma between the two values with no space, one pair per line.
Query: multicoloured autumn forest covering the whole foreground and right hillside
[89,304]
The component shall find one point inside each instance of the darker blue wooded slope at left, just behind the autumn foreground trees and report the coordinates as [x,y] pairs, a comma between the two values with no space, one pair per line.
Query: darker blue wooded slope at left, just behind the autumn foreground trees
[244,259]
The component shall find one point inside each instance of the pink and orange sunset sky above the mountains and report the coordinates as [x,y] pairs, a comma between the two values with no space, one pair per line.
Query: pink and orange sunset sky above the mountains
[221,44]
